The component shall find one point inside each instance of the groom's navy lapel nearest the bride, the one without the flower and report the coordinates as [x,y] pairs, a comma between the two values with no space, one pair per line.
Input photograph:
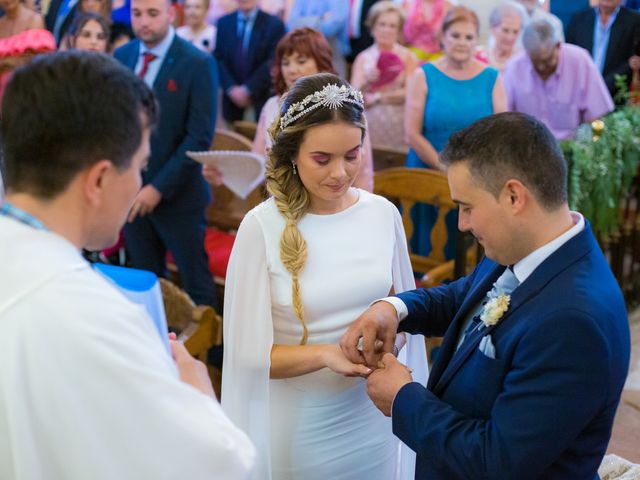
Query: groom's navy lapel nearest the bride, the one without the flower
[447,350]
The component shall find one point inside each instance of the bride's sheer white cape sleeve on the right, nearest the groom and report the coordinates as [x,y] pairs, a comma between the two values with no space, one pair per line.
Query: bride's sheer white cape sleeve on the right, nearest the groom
[414,353]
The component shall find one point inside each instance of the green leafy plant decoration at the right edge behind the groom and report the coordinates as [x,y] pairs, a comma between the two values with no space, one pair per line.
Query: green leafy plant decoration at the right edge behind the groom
[603,160]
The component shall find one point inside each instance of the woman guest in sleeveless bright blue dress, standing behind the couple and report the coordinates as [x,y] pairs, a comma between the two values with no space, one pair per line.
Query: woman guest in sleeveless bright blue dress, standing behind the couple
[444,97]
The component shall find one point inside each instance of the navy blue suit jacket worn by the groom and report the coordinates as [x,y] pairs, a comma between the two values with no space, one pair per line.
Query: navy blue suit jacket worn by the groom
[544,407]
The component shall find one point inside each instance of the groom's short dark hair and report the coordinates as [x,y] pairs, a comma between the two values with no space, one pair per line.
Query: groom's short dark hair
[511,145]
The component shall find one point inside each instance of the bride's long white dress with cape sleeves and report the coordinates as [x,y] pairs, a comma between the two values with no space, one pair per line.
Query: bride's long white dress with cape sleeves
[322,425]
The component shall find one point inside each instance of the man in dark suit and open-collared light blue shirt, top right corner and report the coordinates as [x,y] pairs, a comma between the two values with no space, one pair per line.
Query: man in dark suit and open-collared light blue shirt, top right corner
[610,32]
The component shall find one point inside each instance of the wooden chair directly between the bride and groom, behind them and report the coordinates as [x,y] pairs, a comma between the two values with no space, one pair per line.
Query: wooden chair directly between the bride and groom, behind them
[405,187]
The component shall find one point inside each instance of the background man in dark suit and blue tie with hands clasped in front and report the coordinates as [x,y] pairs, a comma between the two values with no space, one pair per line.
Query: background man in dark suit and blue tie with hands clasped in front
[245,47]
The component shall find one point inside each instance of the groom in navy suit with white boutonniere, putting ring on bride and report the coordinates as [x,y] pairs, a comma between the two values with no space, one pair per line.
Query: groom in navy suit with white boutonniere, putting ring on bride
[535,355]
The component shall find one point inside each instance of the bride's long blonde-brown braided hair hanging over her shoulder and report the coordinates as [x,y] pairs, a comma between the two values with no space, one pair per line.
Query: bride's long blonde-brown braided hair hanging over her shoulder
[288,191]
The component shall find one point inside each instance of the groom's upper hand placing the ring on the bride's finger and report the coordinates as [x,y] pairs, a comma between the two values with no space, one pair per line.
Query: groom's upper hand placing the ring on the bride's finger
[378,323]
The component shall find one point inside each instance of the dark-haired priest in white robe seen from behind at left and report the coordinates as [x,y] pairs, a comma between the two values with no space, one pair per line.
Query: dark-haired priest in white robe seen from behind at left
[87,390]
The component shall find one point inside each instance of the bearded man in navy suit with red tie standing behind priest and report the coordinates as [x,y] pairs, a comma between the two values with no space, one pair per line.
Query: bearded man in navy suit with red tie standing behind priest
[168,213]
